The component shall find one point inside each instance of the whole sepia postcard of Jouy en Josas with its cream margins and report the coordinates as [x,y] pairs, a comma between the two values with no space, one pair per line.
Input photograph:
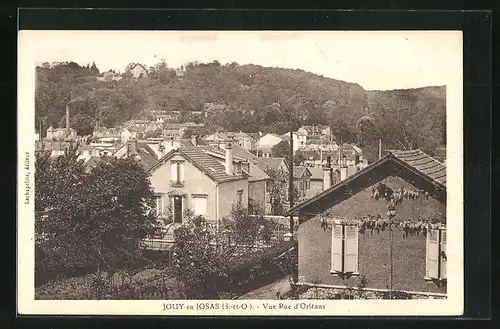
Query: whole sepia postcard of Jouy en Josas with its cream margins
[279,171]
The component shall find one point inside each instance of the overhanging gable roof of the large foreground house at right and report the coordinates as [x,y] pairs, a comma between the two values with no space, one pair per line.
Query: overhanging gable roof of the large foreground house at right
[416,162]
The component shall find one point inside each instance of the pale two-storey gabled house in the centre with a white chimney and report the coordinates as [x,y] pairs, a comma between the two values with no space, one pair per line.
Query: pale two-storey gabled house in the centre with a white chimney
[189,178]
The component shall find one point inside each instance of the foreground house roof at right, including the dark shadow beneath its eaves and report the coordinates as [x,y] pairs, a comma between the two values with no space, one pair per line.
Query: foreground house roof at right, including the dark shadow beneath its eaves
[429,172]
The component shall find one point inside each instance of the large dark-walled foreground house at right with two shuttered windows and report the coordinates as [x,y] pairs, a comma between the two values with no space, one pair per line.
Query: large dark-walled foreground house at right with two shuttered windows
[344,231]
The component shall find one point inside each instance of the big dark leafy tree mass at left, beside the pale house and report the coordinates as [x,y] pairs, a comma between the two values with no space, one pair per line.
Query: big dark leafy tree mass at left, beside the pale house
[89,220]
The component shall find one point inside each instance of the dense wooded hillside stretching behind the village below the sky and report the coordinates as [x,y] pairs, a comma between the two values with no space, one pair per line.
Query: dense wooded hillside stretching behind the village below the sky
[257,99]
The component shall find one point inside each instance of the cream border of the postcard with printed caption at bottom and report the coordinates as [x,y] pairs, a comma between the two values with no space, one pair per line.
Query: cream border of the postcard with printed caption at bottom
[453,305]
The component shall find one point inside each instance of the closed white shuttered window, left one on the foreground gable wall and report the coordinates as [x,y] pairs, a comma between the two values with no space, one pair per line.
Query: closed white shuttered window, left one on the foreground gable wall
[344,249]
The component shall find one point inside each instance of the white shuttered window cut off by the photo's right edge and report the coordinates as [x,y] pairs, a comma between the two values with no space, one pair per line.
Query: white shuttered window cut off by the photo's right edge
[435,260]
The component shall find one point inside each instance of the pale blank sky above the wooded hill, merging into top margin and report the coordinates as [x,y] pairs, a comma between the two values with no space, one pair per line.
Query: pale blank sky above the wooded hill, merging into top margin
[376,60]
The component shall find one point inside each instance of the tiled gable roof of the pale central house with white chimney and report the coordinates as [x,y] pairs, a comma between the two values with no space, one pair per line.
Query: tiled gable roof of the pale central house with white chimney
[206,163]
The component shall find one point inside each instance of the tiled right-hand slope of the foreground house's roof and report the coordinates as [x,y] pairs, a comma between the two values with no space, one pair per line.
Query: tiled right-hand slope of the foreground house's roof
[423,163]
